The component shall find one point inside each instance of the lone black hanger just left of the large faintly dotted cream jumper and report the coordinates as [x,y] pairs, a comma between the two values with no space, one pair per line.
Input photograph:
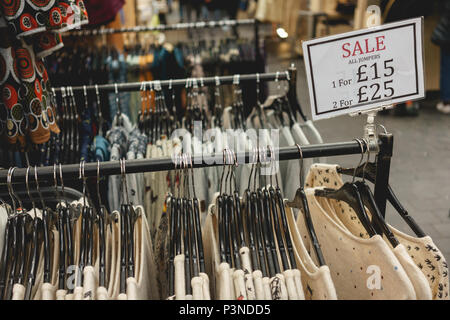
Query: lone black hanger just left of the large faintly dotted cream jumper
[301,202]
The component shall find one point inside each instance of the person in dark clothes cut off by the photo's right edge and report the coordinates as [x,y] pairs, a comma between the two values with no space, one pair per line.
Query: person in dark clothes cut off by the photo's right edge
[441,37]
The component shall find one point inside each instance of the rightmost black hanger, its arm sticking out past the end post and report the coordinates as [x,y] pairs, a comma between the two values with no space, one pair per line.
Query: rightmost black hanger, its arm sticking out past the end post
[370,174]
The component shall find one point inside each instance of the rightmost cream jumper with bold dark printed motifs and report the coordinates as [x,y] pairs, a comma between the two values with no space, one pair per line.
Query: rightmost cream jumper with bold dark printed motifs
[422,260]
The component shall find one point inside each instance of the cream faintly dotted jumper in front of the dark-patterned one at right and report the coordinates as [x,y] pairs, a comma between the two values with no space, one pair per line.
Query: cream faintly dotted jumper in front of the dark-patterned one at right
[360,268]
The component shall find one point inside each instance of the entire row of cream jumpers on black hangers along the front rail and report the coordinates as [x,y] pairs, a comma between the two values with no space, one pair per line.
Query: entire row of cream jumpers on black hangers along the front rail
[250,245]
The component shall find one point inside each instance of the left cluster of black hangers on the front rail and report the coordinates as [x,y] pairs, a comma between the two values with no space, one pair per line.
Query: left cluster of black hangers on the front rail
[26,234]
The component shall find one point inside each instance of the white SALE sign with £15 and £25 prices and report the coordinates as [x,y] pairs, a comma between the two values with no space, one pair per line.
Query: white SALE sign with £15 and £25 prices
[365,69]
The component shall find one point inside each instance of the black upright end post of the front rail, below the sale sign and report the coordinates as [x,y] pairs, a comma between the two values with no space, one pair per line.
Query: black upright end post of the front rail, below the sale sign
[383,169]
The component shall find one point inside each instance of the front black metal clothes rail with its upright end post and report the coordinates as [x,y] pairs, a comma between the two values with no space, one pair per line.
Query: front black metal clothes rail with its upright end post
[72,171]
